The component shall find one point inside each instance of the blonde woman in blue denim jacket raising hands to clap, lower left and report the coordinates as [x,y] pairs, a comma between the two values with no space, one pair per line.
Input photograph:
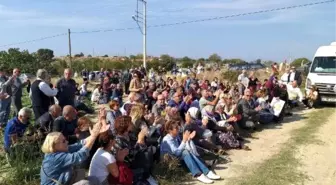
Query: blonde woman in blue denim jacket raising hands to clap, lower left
[60,159]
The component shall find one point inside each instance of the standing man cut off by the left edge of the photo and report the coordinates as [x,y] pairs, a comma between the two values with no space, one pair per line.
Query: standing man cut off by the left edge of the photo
[6,91]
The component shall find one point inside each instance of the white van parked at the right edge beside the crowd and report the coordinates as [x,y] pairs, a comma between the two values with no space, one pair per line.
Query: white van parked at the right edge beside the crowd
[322,73]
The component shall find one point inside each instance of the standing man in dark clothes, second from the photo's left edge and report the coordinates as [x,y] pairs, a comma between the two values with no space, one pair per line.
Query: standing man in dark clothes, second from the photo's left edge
[17,91]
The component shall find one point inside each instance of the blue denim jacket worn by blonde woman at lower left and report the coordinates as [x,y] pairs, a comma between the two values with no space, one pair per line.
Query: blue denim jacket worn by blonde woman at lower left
[58,166]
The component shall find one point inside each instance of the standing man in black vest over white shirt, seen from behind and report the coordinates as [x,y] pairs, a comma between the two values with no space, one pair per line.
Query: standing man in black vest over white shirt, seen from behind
[41,93]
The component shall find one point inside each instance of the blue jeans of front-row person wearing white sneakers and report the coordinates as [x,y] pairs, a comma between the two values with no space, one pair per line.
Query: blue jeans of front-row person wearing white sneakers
[194,164]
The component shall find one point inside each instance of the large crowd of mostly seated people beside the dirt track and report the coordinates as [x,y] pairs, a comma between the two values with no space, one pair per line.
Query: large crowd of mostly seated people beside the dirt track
[159,118]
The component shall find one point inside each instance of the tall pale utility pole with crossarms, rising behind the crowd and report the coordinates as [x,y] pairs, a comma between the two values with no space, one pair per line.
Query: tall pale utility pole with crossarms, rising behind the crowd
[142,18]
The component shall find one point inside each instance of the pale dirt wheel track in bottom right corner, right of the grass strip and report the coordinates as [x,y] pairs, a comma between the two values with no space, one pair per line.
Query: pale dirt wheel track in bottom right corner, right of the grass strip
[318,160]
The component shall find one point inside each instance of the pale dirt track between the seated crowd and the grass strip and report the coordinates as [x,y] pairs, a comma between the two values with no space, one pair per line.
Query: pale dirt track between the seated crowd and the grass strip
[269,143]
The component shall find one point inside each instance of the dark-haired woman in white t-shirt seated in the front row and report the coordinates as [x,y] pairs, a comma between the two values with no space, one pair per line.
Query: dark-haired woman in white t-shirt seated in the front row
[105,164]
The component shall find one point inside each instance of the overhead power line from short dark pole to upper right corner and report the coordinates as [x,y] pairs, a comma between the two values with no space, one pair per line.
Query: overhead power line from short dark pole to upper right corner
[217,18]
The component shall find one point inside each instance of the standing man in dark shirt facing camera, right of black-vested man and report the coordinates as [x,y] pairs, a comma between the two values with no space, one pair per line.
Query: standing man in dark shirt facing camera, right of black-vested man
[66,89]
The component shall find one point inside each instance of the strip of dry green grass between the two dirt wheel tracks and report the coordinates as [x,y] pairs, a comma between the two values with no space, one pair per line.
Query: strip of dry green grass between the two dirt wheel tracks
[282,169]
